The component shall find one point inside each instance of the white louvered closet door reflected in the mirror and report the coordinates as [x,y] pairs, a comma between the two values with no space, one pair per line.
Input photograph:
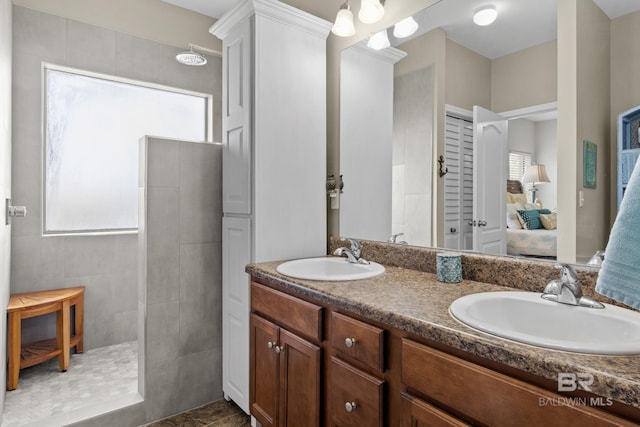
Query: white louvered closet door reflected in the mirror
[458,208]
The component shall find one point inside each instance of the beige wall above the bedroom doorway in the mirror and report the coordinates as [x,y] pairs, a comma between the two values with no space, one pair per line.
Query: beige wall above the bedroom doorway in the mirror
[526,78]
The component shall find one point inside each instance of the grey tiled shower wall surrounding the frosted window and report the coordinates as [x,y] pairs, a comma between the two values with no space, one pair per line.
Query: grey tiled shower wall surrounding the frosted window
[106,264]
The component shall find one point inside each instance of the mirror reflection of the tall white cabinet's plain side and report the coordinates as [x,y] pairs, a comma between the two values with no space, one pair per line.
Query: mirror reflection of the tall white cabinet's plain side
[366,133]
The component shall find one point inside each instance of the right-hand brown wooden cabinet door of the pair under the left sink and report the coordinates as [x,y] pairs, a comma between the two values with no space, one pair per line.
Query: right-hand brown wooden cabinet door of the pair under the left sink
[299,382]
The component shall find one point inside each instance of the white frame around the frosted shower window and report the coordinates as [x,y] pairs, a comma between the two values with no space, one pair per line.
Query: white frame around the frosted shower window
[49,66]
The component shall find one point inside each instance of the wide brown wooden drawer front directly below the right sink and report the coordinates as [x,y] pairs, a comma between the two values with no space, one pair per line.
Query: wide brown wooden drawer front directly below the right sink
[488,397]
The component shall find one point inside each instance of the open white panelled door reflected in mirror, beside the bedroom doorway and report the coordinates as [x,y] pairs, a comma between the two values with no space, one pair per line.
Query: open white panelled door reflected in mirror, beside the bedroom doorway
[490,179]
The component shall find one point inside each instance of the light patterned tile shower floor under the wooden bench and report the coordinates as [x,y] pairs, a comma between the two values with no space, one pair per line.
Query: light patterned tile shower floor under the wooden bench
[96,375]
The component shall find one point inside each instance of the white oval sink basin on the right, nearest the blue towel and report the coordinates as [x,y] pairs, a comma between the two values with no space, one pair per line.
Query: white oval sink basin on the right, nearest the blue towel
[527,318]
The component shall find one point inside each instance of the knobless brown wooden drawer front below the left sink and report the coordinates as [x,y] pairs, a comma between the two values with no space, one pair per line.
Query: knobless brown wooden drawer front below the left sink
[292,313]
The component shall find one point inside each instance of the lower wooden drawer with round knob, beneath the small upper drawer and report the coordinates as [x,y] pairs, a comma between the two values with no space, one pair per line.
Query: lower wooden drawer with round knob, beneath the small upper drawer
[363,392]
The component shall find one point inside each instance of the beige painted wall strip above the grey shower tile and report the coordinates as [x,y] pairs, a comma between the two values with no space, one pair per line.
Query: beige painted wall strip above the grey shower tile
[152,20]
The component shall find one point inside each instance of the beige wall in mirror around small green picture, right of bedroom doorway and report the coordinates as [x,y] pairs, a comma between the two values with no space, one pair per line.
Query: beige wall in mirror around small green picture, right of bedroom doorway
[583,113]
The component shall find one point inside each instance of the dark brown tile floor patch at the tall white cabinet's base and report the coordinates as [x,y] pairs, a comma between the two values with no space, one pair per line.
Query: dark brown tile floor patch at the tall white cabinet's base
[219,414]
